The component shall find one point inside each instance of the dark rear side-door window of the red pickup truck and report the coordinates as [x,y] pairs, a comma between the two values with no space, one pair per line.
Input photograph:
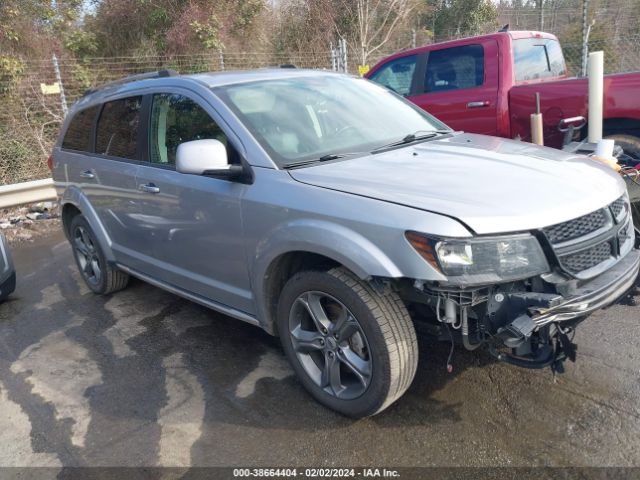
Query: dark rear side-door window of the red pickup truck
[455,68]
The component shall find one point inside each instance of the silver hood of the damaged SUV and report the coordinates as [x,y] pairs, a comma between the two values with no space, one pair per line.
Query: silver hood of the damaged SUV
[492,185]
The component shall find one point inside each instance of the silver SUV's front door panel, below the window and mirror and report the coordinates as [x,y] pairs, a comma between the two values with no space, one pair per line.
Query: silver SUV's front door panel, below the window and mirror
[193,230]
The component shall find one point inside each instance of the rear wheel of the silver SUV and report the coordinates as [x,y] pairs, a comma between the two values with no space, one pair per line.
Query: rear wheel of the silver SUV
[99,276]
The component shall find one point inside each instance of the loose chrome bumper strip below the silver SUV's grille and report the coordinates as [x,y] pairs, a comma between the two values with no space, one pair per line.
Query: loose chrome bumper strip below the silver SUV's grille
[598,293]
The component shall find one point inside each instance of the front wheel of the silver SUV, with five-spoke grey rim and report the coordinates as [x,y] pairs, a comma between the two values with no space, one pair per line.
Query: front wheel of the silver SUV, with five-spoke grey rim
[353,348]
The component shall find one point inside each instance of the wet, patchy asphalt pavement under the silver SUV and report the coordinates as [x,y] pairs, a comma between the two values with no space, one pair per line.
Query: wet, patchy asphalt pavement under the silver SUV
[143,377]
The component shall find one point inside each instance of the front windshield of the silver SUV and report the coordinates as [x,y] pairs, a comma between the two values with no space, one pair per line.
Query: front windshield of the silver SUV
[306,118]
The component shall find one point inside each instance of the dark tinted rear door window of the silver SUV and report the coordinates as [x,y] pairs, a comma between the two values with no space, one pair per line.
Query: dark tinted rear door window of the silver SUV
[118,128]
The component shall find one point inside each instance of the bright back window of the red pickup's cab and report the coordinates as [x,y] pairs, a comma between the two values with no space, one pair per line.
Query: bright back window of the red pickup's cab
[537,58]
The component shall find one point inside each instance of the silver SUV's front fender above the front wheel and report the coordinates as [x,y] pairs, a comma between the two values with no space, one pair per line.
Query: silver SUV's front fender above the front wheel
[281,215]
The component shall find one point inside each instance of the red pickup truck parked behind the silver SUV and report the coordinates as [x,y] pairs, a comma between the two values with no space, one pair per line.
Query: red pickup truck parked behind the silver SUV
[487,84]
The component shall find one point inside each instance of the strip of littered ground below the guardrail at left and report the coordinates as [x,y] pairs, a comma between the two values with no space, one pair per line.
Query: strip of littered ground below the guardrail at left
[27,223]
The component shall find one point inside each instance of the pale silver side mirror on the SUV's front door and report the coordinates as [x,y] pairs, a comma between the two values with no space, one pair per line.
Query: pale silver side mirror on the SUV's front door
[205,157]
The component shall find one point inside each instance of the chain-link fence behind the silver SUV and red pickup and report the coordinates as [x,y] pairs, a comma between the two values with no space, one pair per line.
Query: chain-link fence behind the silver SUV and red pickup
[32,105]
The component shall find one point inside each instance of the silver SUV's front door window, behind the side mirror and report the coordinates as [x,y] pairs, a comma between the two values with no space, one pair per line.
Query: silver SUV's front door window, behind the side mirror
[176,119]
